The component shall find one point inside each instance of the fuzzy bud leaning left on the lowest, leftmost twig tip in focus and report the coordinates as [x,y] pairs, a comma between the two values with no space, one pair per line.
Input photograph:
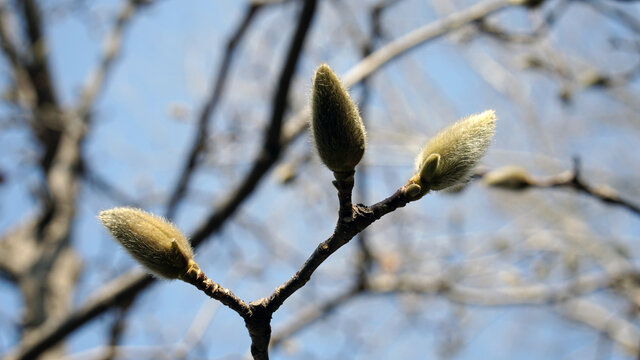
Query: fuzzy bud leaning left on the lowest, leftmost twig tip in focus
[151,240]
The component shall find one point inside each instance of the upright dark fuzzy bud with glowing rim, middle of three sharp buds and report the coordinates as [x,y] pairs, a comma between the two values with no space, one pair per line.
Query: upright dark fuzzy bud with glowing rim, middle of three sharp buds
[338,131]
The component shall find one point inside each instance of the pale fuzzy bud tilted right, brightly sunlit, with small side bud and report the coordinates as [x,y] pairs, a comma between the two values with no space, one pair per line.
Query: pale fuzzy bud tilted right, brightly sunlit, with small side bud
[450,156]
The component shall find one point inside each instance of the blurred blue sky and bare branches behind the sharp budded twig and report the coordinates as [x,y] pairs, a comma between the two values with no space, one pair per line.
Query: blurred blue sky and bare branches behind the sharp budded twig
[164,105]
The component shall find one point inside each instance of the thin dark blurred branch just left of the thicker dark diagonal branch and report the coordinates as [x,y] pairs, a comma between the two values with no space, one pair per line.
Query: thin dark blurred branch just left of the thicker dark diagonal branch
[202,132]
